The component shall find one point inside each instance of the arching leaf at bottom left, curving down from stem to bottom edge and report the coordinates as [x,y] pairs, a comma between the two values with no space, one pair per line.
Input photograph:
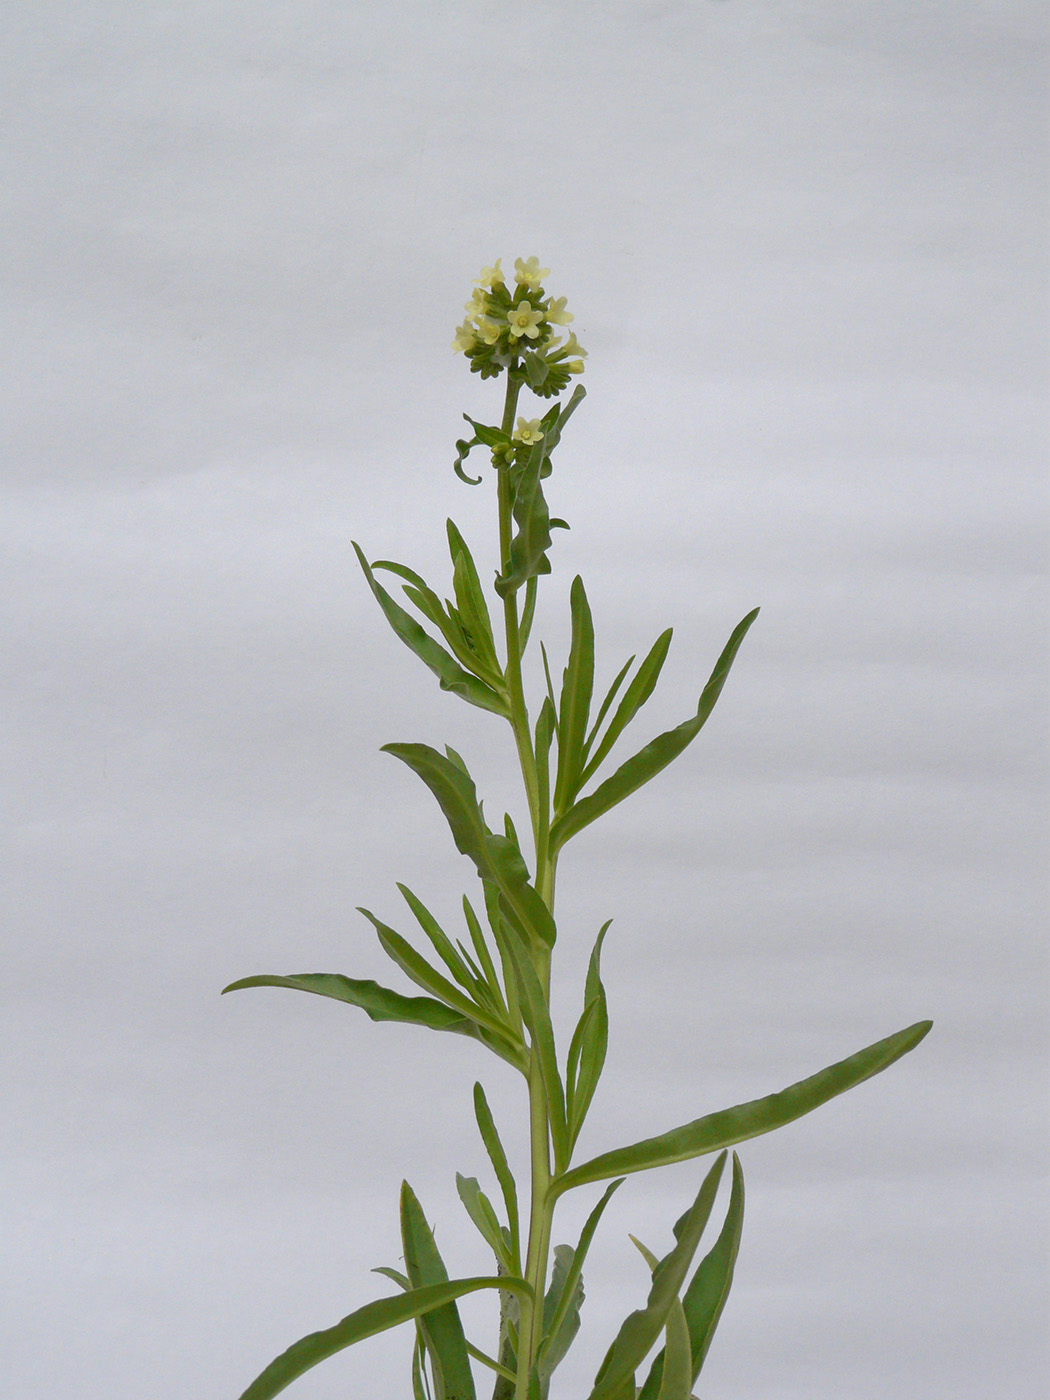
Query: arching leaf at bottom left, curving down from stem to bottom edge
[366,1322]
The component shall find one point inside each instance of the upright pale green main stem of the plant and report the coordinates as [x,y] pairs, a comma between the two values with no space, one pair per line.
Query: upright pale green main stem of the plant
[531,1319]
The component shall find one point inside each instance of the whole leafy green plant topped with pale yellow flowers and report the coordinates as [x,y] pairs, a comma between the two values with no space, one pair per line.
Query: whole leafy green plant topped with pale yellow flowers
[498,990]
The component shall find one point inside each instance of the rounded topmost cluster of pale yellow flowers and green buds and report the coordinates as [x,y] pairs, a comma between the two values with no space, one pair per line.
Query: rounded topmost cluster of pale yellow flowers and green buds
[514,330]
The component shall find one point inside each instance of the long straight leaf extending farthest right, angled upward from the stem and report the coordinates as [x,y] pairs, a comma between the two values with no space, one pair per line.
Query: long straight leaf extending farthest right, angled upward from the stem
[745,1121]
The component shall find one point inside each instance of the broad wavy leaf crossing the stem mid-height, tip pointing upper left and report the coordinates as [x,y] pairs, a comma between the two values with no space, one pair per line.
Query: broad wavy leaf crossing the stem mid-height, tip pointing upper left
[495,856]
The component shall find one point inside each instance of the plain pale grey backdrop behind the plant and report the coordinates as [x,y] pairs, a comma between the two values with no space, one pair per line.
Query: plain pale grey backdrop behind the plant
[806,247]
